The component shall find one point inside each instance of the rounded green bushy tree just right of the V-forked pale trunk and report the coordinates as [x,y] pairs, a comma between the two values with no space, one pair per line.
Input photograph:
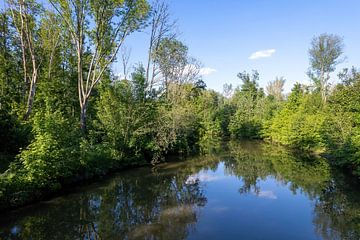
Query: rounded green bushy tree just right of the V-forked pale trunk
[126,118]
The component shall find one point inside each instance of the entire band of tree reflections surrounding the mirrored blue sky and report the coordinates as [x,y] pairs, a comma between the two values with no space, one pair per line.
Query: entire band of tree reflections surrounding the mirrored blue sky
[165,202]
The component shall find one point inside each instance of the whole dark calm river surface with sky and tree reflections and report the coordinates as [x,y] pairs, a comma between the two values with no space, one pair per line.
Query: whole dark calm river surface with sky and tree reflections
[248,190]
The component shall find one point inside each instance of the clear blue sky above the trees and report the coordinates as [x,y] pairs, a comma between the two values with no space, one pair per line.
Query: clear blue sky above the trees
[223,34]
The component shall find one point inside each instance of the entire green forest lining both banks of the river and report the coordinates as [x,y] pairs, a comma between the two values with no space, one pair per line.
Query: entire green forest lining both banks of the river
[66,116]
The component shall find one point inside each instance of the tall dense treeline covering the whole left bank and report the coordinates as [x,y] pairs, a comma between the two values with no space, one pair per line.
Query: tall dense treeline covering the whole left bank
[65,116]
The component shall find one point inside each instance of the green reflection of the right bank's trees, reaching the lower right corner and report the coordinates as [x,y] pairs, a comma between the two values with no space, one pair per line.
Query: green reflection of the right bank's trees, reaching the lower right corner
[337,208]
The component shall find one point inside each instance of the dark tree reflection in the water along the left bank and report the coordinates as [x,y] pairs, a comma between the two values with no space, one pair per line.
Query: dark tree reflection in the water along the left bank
[142,205]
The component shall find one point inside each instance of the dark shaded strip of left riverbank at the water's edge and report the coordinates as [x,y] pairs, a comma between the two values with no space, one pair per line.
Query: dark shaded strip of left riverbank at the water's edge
[17,191]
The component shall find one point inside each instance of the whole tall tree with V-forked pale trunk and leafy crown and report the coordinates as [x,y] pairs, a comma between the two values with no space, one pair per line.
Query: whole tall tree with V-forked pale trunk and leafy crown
[98,29]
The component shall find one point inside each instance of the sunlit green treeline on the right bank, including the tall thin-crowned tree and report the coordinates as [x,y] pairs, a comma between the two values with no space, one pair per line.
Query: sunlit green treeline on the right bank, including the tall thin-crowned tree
[318,117]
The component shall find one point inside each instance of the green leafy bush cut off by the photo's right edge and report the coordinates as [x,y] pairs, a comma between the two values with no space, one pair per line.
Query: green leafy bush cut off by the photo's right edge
[344,125]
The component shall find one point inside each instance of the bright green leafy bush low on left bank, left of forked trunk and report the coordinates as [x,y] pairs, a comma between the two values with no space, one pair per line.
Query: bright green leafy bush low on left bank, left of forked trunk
[53,154]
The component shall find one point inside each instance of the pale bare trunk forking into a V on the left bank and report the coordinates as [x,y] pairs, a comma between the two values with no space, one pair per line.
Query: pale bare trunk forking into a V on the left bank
[101,57]
